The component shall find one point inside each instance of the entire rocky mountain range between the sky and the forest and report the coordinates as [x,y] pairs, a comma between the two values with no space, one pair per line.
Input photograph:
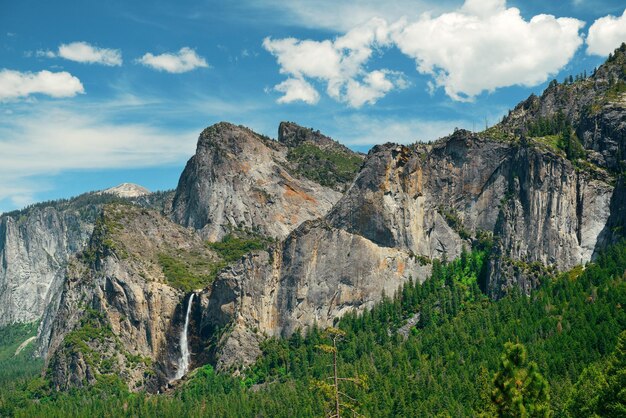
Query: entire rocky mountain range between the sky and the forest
[274,237]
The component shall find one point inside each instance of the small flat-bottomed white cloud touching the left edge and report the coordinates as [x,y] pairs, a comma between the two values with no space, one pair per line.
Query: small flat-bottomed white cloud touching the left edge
[15,84]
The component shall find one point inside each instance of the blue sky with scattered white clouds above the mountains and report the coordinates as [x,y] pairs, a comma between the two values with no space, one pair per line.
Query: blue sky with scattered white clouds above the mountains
[97,93]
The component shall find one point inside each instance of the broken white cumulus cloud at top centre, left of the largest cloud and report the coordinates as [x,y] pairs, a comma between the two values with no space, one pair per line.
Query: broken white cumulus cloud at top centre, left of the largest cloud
[338,63]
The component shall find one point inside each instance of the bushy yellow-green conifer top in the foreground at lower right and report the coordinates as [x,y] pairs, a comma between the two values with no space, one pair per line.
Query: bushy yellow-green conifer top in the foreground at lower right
[520,390]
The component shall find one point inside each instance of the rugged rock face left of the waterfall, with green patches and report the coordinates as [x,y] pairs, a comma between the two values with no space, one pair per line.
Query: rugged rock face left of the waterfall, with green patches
[119,313]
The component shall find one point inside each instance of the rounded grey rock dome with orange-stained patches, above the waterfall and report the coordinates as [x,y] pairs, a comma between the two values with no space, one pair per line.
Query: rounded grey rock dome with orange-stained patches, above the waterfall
[238,179]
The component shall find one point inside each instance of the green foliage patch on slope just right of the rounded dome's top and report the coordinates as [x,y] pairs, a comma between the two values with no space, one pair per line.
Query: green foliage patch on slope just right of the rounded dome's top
[327,167]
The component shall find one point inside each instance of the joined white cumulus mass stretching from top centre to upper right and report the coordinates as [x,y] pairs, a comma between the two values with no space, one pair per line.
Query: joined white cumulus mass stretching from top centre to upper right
[479,47]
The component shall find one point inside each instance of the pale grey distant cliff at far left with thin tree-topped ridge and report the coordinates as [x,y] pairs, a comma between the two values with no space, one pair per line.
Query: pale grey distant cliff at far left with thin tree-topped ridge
[35,244]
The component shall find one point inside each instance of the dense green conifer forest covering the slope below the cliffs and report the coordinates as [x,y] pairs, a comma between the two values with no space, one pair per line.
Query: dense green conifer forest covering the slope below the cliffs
[443,366]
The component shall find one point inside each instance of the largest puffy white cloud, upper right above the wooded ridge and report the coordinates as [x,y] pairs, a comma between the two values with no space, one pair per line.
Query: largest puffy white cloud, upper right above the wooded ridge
[485,46]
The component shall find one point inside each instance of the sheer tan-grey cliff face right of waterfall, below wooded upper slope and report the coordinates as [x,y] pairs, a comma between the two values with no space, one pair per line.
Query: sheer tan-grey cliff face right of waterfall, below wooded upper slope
[407,206]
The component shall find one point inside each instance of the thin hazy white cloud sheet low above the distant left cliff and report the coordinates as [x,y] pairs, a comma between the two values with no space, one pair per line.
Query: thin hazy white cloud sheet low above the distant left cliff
[46,141]
